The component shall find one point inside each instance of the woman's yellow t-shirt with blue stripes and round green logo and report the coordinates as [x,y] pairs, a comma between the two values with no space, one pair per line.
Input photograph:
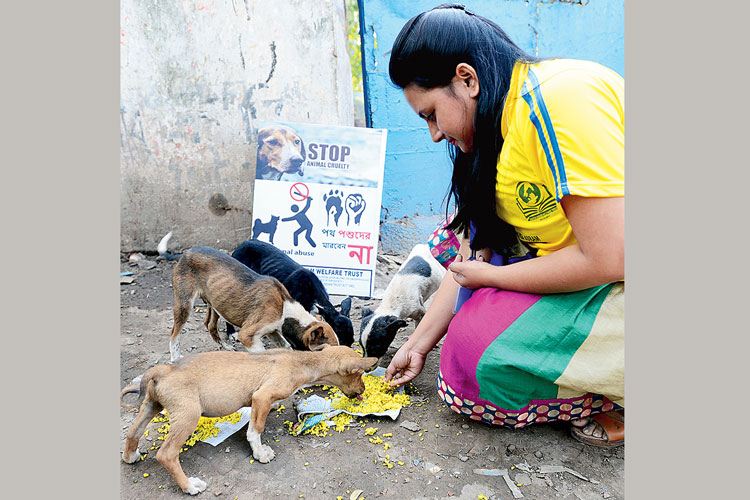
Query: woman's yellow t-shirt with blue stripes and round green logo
[563,125]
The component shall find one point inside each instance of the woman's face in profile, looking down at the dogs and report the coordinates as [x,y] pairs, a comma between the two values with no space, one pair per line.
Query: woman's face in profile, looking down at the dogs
[449,115]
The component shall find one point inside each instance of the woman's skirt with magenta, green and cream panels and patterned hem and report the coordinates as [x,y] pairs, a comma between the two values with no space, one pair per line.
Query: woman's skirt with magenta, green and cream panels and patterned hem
[513,359]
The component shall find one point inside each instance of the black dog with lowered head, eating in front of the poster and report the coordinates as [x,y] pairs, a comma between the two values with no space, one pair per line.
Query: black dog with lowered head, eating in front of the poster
[301,283]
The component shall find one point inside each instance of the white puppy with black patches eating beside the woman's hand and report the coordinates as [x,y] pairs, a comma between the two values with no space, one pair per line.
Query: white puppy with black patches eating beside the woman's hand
[405,296]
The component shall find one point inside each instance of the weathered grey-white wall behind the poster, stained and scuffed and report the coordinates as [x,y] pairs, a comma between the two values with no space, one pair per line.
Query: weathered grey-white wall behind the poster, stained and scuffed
[195,79]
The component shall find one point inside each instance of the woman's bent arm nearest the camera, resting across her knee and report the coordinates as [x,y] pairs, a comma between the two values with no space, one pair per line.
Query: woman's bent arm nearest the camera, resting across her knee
[597,259]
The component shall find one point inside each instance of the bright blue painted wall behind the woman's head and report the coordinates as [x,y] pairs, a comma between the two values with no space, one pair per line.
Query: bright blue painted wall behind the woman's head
[417,171]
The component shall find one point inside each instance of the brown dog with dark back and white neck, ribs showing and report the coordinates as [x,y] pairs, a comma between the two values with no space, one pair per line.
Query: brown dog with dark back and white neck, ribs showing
[257,305]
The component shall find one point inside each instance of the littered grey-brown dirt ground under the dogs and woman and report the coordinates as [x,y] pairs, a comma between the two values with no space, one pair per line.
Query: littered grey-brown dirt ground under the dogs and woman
[439,465]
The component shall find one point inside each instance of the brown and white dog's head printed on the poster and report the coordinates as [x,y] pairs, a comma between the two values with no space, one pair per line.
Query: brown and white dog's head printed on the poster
[280,151]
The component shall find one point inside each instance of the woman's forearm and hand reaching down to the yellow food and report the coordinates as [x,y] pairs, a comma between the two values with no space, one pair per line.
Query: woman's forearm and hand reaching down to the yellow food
[409,360]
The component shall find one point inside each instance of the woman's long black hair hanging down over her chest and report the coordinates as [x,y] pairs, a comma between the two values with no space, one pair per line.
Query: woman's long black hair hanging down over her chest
[426,53]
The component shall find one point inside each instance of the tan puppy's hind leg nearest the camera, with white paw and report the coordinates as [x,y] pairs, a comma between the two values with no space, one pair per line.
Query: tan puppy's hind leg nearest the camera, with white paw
[182,423]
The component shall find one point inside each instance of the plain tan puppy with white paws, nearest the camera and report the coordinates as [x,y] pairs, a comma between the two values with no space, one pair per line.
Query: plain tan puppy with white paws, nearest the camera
[218,383]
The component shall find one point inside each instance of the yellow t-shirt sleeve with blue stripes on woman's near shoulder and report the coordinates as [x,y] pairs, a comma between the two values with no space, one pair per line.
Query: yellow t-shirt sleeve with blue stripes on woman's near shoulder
[579,132]
